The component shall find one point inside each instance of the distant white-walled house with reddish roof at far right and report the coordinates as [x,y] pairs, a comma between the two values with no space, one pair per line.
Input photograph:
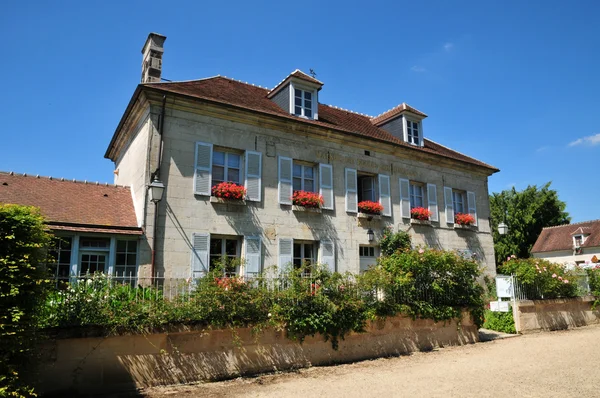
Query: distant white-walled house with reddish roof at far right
[572,244]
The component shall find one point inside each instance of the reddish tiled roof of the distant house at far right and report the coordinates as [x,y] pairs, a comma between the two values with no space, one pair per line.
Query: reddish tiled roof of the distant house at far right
[561,237]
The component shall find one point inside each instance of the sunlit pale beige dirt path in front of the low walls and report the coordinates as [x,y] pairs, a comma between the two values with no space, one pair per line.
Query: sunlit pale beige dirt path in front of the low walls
[552,364]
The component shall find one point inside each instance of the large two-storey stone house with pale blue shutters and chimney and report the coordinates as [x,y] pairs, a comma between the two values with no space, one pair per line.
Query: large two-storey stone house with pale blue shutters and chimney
[193,135]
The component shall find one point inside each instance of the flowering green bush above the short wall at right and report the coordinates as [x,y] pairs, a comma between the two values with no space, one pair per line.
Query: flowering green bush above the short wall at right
[541,279]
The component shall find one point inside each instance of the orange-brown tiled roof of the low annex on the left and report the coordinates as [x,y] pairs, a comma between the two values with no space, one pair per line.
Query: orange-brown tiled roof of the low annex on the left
[73,205]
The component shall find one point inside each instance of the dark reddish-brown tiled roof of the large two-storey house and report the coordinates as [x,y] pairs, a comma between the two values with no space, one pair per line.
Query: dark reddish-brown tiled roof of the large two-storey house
[246,96]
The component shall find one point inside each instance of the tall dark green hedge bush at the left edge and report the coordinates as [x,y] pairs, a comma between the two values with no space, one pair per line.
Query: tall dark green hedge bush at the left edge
[23,285]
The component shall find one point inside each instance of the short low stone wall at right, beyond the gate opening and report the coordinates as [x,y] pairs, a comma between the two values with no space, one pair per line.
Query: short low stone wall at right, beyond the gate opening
[558,314]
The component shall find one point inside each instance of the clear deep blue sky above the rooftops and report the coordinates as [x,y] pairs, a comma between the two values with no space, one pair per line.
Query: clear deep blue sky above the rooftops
[515,85]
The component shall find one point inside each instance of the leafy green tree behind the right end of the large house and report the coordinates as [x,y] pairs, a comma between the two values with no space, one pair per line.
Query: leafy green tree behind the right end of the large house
[526,213]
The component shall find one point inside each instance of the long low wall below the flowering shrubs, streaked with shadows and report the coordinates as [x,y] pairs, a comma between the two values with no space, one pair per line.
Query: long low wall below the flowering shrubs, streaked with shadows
[96,365]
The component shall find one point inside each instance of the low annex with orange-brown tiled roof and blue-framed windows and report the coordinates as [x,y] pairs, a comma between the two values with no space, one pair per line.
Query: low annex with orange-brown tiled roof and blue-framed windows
[96,223]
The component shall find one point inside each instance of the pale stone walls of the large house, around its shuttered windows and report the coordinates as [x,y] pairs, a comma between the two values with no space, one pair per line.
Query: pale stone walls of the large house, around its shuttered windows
[181,213]
